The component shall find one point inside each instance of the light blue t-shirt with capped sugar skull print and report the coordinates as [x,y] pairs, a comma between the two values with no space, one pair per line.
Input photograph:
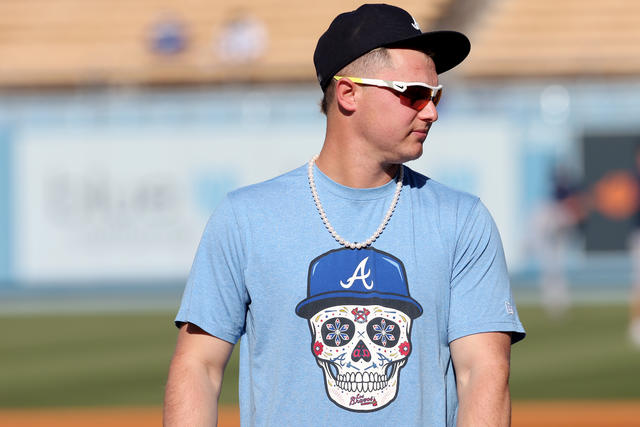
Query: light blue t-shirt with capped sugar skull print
[334,336]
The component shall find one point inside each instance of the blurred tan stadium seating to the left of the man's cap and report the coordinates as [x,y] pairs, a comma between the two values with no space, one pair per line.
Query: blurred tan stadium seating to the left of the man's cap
[76,42]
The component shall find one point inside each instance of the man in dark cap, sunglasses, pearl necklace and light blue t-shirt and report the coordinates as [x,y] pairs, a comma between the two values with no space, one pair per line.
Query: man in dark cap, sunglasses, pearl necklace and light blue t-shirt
[364,292]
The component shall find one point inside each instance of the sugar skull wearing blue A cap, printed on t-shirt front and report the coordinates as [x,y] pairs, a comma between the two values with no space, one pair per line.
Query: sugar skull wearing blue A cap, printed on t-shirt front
[359,313]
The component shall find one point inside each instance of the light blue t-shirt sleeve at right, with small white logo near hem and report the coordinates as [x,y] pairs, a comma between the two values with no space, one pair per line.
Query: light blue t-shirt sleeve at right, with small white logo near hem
[481,299]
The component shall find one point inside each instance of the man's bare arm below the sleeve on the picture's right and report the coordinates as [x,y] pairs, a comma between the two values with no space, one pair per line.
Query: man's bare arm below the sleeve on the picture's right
[481,362]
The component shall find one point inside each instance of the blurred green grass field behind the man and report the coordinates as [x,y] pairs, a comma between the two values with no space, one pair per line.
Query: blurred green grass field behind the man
[122,359]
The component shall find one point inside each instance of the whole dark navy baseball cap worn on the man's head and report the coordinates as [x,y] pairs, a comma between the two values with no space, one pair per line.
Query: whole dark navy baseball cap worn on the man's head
[352,34]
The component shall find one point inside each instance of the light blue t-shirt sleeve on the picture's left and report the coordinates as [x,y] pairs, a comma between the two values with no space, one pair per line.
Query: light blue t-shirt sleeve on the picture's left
[215,297]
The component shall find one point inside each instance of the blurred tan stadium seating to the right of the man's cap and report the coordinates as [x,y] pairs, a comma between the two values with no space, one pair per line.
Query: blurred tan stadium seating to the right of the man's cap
[523,38]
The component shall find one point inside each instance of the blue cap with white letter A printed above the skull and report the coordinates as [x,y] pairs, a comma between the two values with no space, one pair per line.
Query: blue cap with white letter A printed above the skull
[359,277]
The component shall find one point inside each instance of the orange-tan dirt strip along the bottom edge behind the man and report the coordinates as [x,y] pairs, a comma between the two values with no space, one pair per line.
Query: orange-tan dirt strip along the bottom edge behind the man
[525,414]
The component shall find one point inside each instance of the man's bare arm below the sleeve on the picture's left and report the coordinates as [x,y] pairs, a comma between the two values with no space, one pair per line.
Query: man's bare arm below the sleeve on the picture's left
[195,378]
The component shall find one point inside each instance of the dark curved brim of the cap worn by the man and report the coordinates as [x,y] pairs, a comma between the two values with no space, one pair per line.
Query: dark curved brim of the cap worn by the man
[447,48]
